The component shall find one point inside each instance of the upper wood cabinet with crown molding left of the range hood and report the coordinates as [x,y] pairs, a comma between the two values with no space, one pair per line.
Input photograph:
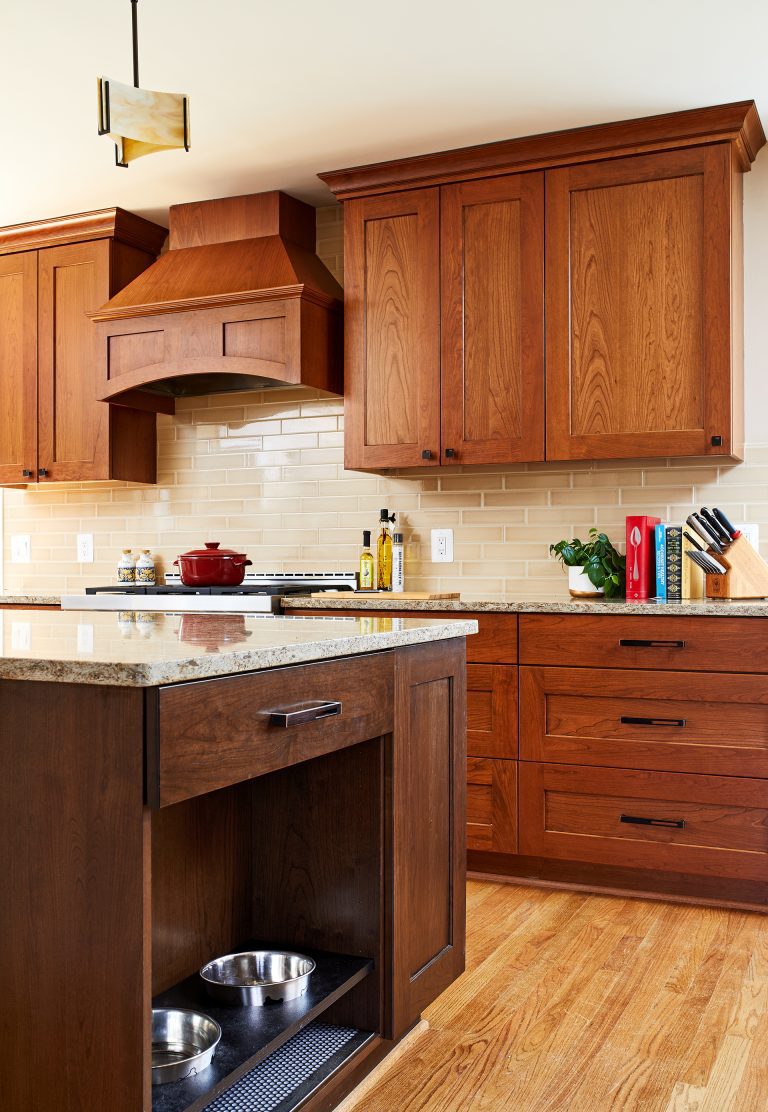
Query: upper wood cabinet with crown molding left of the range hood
[53,426]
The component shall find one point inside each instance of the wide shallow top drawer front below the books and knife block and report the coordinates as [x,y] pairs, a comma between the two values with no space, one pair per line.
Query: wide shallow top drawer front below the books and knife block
[602,641]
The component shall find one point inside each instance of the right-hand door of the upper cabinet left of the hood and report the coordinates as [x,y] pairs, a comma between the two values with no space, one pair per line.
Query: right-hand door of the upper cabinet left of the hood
[74,426]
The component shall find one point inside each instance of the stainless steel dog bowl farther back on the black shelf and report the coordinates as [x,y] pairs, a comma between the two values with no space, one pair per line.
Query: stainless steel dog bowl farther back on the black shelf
[258,977]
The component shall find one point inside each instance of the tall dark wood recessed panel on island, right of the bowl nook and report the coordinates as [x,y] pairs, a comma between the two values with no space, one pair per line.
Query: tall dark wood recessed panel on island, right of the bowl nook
[428,796]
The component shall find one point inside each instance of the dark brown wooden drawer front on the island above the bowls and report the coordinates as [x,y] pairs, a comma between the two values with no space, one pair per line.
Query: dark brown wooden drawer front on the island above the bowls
[220,732]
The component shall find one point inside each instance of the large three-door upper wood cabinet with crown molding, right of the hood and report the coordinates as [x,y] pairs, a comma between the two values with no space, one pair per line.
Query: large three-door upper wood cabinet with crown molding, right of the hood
[620,299]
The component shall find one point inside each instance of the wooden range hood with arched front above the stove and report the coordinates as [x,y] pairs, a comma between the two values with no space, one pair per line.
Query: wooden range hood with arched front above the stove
[241,301]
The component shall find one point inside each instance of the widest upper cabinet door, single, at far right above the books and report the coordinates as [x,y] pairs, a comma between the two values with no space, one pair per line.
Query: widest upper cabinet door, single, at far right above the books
[639,306]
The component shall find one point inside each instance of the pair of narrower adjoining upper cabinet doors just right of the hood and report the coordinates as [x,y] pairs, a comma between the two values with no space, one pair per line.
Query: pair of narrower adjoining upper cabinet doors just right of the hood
[444,304]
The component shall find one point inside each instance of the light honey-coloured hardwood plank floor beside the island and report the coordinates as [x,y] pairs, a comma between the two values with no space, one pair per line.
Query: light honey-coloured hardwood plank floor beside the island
[593,1004]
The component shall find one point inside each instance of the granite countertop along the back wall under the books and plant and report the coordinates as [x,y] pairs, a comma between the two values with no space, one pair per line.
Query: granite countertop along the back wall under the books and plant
[547,604]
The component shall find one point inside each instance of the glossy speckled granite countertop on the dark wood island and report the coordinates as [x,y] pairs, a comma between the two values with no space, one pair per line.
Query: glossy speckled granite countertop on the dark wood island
[142,650]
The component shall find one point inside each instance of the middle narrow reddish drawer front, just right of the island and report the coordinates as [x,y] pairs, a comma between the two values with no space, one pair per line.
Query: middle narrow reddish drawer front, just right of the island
[492,711]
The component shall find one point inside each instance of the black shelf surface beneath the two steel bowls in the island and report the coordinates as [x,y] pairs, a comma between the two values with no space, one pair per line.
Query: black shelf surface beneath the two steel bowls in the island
[251,1035]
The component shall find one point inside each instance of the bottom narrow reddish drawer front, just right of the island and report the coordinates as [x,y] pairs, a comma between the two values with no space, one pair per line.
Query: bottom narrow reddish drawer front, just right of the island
[492,806]
